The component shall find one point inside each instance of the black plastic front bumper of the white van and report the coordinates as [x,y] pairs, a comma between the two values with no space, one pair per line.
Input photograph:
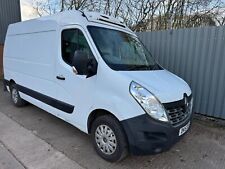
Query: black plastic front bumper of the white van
[148,136]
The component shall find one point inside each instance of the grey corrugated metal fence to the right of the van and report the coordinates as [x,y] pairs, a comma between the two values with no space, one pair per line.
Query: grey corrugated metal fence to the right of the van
[198,56]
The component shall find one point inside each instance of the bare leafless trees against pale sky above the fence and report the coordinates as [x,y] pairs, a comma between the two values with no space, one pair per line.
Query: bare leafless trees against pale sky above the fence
[142,15]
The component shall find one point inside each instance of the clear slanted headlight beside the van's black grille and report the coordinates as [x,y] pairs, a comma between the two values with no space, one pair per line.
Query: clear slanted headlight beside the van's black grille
[148,102]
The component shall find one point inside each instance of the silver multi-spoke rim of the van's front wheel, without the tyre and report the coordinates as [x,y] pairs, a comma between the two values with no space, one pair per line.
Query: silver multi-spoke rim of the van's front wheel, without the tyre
[105,139]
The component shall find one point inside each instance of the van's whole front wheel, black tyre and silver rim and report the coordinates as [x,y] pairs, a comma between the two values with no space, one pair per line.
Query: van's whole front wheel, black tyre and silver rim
[109,139]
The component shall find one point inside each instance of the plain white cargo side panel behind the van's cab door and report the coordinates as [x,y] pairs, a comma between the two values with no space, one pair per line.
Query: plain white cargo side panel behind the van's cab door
[29,60]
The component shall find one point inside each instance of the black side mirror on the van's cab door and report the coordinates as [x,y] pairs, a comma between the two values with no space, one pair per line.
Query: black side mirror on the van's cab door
[83,64]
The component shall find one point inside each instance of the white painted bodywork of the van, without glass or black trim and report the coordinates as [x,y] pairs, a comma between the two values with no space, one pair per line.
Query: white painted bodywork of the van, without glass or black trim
[32,58]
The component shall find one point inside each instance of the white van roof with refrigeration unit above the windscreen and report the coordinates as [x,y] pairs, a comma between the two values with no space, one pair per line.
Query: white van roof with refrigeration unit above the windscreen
[49,23]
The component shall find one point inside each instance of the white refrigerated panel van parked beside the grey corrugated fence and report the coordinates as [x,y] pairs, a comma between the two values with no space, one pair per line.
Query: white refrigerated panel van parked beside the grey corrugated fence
[92,71]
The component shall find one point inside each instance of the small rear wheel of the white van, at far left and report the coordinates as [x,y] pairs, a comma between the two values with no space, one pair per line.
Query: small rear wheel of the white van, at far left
[15,96]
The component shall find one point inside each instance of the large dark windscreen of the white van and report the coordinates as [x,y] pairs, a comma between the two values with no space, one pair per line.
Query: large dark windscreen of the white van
[122,51]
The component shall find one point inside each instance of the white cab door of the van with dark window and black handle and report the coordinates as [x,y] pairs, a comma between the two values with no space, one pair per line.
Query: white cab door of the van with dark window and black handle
[74,89]
